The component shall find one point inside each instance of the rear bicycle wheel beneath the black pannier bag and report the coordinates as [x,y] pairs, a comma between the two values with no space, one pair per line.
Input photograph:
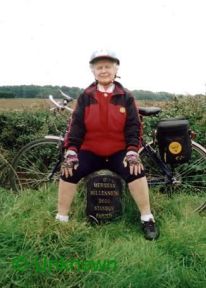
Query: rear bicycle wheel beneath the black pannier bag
[190,177]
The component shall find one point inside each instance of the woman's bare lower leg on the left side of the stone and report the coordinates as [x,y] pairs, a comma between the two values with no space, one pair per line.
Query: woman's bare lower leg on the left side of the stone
[66,195]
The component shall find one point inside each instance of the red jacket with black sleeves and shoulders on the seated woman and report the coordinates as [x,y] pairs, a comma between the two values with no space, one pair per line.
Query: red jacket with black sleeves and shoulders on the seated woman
[104,125]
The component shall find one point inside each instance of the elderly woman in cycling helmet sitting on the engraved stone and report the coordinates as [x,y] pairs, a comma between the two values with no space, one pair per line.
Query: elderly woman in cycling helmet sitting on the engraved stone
[105,133]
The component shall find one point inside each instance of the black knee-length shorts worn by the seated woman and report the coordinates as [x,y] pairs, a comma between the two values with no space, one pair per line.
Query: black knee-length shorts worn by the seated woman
[90,162]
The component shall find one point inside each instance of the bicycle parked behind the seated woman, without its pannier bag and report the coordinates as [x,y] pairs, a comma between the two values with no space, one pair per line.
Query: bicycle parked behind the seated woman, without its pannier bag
[38,162]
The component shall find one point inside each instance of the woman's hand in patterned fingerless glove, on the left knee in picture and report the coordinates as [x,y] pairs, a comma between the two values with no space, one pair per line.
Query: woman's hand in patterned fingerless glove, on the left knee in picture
[70,162]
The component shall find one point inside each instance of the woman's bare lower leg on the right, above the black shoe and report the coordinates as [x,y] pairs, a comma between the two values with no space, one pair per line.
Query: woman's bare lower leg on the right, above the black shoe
[140,193]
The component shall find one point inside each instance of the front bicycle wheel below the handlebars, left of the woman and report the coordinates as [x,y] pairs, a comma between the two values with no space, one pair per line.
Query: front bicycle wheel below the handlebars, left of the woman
[35,162]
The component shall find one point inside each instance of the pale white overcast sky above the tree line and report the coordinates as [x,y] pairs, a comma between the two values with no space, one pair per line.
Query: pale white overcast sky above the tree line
[161,43]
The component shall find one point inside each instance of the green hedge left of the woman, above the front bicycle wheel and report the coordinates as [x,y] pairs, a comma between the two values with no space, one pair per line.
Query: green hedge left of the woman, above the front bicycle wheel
[19,128]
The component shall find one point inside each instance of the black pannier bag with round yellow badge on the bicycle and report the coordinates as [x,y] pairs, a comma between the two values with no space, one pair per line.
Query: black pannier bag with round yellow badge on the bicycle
[173,138]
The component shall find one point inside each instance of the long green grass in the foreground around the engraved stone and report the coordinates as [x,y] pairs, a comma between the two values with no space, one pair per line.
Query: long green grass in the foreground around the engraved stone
[29,238]
